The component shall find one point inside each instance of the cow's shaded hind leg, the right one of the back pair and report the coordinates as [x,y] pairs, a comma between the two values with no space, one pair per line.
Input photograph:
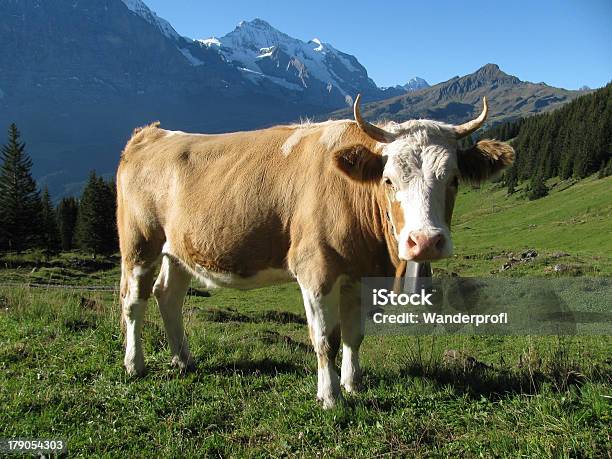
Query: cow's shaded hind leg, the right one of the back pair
[169,290]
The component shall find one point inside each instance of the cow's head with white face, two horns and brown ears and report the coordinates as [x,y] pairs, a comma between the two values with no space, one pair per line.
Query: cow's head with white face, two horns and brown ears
[419,167]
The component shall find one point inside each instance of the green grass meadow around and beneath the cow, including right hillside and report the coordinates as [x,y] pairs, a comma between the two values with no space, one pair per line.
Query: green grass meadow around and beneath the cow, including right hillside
[253,391]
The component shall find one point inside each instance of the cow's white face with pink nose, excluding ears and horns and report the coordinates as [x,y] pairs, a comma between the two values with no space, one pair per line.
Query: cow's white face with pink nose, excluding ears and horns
[420,177]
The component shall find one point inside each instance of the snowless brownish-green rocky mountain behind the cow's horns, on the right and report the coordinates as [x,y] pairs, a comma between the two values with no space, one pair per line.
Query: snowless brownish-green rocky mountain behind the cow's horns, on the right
[460,98]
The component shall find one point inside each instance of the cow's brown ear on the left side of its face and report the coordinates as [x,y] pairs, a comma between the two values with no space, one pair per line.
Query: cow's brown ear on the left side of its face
[359,163]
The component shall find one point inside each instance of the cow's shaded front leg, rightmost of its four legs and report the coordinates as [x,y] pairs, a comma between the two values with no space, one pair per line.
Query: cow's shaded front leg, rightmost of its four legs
[352,323]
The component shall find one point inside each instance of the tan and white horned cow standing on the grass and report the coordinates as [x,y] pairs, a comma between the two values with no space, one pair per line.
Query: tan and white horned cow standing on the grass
[321,203]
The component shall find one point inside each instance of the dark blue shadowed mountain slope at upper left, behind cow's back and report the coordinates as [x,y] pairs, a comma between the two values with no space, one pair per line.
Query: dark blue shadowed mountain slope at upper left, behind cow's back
[77,76]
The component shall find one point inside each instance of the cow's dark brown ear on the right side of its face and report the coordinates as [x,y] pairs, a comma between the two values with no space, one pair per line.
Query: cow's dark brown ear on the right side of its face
[484,160]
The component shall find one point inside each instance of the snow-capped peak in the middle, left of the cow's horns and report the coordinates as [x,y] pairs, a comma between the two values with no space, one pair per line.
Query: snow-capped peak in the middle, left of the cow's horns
[269,57]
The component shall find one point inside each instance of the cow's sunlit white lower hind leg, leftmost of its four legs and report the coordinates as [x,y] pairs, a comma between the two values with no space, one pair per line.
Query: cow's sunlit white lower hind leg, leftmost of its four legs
[136,284]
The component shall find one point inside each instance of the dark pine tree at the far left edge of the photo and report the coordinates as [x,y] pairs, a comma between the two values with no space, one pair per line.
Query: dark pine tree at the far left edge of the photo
[19,197]
